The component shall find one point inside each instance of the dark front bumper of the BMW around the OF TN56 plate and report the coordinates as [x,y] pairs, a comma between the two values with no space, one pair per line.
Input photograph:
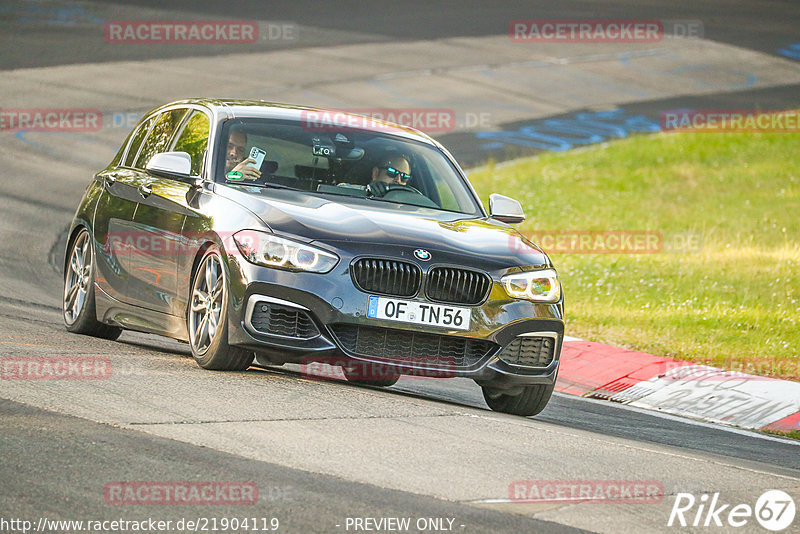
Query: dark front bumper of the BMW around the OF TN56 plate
[332,302]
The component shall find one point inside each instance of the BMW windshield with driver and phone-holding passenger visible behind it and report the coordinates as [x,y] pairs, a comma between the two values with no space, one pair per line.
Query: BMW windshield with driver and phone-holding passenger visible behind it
[347,163]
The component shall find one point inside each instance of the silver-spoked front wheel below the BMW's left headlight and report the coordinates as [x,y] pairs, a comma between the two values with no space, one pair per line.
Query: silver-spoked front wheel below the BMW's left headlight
[206,318]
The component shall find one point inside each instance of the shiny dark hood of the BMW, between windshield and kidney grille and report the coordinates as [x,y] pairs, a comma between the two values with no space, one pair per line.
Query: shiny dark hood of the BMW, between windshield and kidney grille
[350,223]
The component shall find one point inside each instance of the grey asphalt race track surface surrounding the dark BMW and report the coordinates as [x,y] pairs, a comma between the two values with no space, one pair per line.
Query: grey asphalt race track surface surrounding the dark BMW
[321,452]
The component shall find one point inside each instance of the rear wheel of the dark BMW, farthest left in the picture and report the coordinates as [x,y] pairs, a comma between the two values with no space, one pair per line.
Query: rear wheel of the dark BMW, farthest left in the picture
[78,305]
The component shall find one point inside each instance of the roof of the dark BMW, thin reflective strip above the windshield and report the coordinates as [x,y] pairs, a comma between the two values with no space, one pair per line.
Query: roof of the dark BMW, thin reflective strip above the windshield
[231,108]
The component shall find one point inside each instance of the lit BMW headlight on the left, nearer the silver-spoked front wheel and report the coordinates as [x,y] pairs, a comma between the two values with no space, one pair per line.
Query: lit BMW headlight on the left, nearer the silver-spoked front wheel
[263,248]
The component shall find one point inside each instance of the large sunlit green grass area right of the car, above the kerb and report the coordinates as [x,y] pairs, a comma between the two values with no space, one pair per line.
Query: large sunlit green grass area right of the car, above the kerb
[725,289]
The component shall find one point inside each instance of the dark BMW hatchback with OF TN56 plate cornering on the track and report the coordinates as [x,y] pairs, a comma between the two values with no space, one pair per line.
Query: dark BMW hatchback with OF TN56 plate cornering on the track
[285,234]
